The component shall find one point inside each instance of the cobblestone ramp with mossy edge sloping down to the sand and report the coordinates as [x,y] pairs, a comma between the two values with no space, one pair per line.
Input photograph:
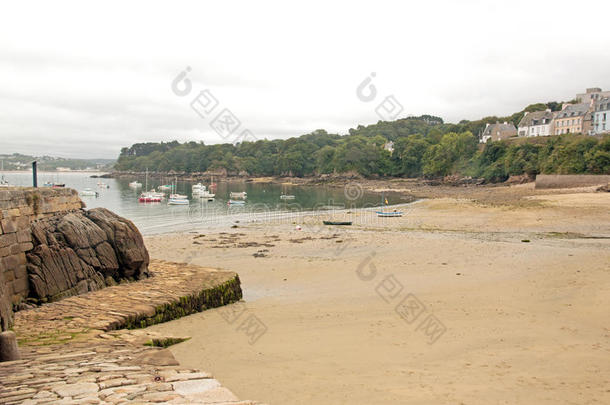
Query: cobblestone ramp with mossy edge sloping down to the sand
[73,351]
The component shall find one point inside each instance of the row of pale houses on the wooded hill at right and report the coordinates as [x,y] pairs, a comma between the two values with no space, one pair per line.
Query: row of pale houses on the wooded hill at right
[590,116]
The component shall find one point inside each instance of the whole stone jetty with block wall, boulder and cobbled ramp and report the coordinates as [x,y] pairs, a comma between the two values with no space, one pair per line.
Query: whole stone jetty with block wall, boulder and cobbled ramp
[77,287]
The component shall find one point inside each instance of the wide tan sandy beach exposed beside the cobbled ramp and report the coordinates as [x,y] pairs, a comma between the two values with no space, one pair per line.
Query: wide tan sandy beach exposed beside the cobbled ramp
[526,322]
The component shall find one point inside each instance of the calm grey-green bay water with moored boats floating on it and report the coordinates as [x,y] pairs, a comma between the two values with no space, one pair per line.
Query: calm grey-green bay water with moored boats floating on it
[263,202]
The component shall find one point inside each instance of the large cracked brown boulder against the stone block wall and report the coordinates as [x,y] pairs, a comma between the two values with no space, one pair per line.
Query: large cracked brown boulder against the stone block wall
[83,251]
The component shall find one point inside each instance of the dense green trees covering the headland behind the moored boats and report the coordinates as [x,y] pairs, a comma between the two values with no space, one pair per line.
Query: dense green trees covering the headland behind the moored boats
[424,146]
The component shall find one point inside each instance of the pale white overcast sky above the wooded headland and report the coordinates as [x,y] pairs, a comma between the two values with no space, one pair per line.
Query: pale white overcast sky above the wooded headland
[79,80]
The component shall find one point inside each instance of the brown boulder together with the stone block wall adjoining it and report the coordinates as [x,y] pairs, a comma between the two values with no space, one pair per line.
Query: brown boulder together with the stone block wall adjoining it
[51,248]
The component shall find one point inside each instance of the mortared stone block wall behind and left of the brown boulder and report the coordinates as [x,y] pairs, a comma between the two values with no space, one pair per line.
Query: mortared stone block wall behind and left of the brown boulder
[19,207]
